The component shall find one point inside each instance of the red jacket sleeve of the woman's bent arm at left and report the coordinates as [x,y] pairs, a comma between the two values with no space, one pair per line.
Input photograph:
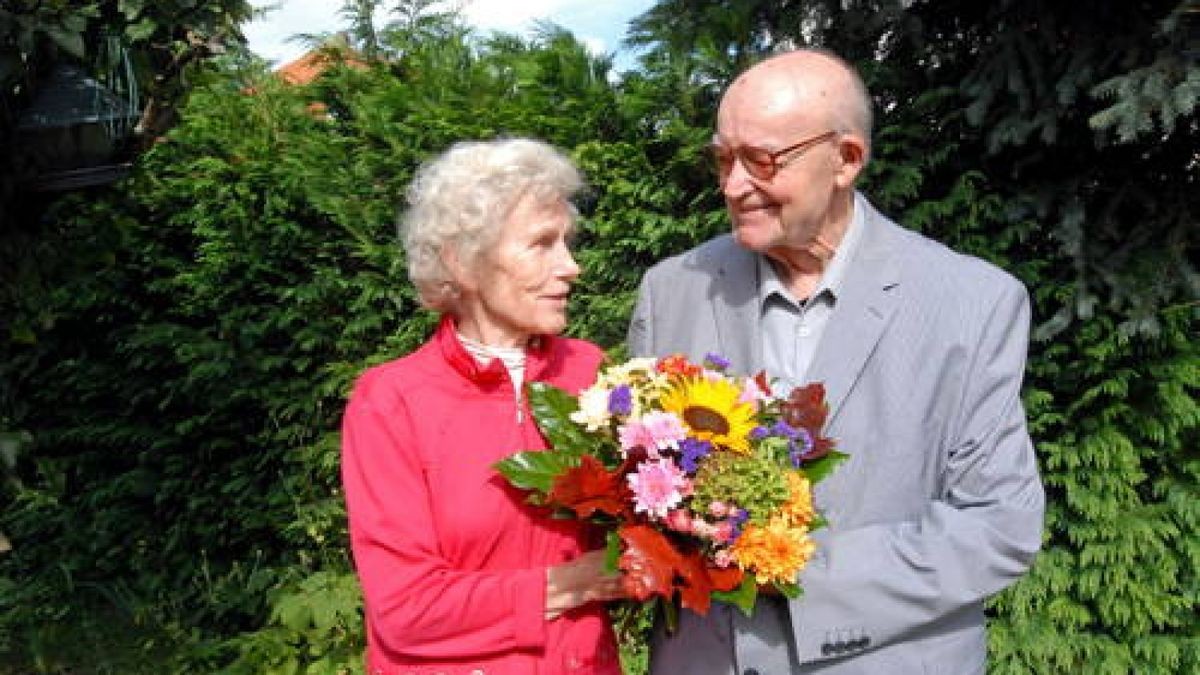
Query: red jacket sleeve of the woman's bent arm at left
[417,604]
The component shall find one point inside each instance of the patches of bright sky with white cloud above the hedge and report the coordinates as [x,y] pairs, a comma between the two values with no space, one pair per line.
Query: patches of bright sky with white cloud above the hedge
[601,25]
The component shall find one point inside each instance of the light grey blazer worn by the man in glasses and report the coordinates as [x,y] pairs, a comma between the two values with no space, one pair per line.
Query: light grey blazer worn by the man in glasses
[940,504]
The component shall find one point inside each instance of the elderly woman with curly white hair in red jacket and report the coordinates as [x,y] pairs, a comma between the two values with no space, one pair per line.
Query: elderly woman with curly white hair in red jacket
[459,575]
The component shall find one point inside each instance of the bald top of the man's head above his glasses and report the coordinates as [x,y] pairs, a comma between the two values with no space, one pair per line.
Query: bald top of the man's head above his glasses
[806,86]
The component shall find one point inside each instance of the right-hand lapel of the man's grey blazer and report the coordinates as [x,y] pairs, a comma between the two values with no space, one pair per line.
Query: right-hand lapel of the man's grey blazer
[863,312]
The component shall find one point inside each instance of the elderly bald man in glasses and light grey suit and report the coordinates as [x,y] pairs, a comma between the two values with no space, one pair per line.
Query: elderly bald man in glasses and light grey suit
[922,353]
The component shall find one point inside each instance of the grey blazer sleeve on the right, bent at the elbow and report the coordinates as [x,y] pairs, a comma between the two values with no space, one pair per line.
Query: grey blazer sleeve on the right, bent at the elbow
[890,582]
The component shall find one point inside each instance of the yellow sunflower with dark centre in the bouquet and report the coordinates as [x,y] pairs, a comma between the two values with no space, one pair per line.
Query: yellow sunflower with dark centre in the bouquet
[712,411]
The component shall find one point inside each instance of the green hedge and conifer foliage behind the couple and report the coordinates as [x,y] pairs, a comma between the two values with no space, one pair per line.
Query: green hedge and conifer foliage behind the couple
[177,351]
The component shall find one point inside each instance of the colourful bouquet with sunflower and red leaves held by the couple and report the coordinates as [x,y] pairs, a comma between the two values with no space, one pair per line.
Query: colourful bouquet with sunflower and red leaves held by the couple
[703,480]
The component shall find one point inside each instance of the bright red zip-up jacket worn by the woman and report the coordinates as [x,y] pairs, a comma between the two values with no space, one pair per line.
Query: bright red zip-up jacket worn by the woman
[452,560]
